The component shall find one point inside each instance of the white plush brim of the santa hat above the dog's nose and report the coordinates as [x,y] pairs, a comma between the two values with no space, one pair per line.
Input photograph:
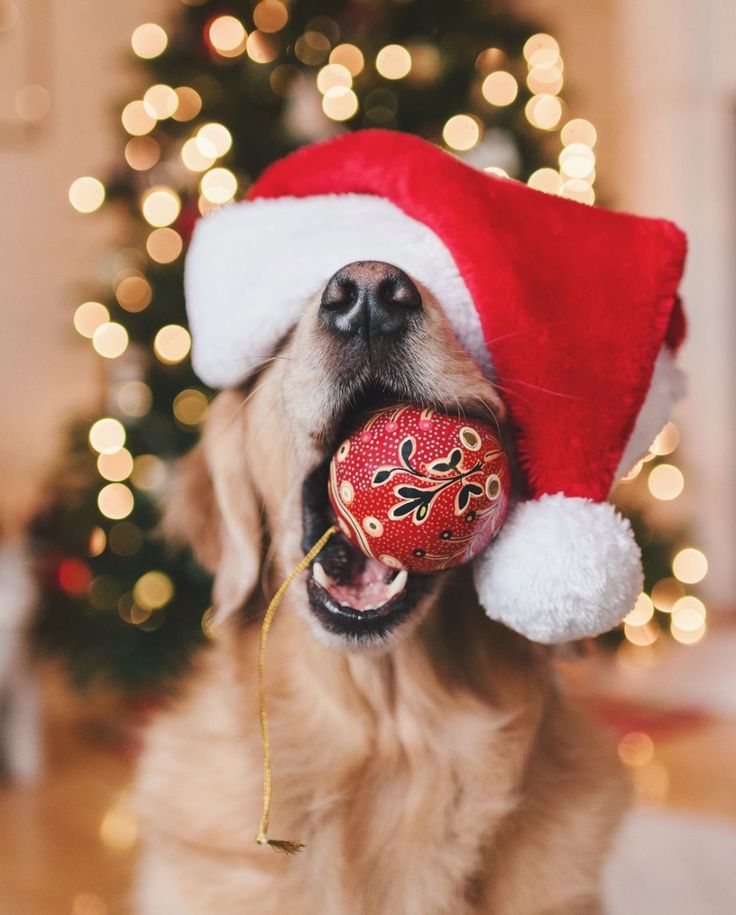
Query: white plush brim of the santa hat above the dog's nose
[252,266]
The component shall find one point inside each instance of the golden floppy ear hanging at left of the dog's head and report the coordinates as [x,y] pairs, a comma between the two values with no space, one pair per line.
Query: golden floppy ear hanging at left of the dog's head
[211,507]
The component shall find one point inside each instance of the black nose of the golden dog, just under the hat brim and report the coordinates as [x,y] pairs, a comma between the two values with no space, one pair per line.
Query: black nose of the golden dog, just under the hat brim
[369,299]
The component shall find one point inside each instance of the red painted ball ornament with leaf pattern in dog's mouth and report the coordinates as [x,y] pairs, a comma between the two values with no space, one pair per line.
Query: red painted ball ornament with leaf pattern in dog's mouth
[420,490]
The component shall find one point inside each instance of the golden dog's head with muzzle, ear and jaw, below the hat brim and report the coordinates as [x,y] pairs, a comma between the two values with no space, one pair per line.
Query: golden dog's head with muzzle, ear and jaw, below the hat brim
[254,493]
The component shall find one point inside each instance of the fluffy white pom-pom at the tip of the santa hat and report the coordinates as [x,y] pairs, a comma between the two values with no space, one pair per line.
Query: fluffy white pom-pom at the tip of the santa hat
[561,568]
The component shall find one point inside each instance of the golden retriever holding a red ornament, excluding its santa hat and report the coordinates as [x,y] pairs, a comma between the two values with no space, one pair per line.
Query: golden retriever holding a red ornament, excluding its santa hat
[423,754]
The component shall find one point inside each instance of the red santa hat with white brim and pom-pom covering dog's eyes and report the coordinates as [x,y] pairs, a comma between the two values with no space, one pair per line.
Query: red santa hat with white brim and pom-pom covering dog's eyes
[571,310]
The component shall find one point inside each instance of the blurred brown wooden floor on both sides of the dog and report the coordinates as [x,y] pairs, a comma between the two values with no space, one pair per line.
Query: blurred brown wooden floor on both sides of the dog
[67,845]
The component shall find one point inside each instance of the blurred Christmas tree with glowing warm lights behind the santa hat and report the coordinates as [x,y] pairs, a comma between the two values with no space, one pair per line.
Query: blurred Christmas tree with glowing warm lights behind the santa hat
[229,87]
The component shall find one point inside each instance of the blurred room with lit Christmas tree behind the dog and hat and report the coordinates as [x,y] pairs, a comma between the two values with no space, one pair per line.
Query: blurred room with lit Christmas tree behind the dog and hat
[121,124]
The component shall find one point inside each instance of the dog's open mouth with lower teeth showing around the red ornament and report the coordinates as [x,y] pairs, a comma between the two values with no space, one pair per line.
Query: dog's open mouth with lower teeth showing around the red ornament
[351,594]
